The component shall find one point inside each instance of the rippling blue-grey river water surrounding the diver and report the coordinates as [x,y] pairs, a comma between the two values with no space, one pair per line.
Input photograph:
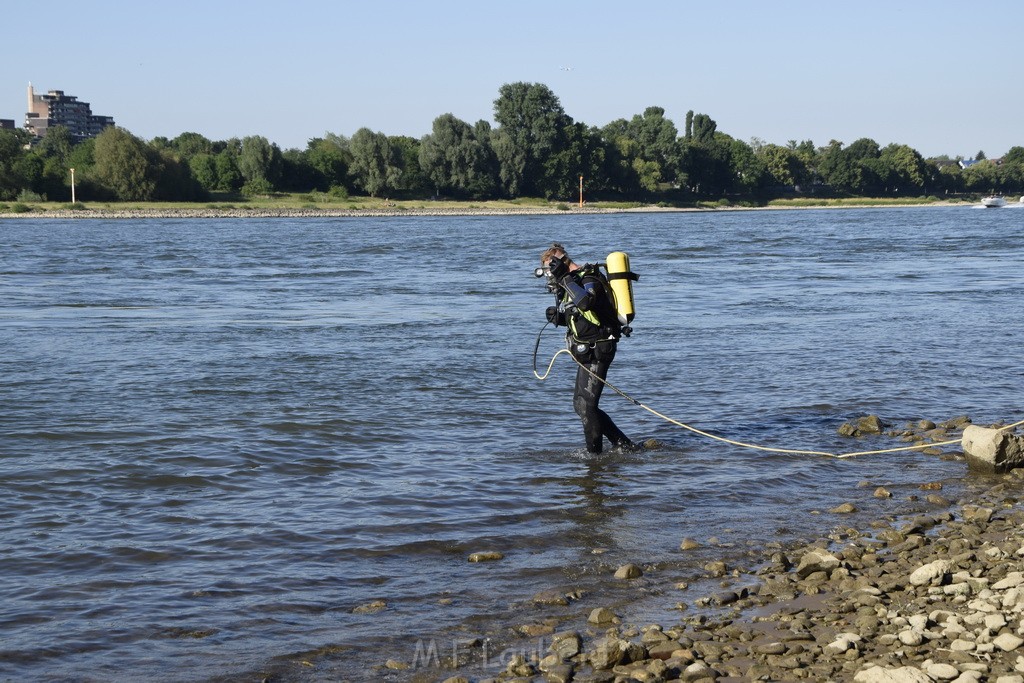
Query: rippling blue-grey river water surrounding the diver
[219,439]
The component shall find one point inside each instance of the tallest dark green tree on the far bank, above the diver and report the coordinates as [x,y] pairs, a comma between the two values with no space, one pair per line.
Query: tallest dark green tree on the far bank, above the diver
[532,125]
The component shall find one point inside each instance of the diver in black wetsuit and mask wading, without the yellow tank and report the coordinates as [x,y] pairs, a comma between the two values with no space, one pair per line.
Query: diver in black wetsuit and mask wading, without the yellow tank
[585,307]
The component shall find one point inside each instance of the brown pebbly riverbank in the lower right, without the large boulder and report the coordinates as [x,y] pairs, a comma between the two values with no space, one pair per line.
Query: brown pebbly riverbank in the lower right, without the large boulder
[925,599]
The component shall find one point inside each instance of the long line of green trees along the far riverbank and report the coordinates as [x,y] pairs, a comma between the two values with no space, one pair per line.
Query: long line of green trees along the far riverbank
[536,150]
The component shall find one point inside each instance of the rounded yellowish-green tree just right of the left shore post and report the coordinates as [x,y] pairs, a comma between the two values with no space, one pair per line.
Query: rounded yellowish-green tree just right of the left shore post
[123,165]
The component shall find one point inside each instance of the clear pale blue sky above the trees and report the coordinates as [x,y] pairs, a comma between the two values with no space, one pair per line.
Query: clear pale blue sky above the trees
[942,76]
